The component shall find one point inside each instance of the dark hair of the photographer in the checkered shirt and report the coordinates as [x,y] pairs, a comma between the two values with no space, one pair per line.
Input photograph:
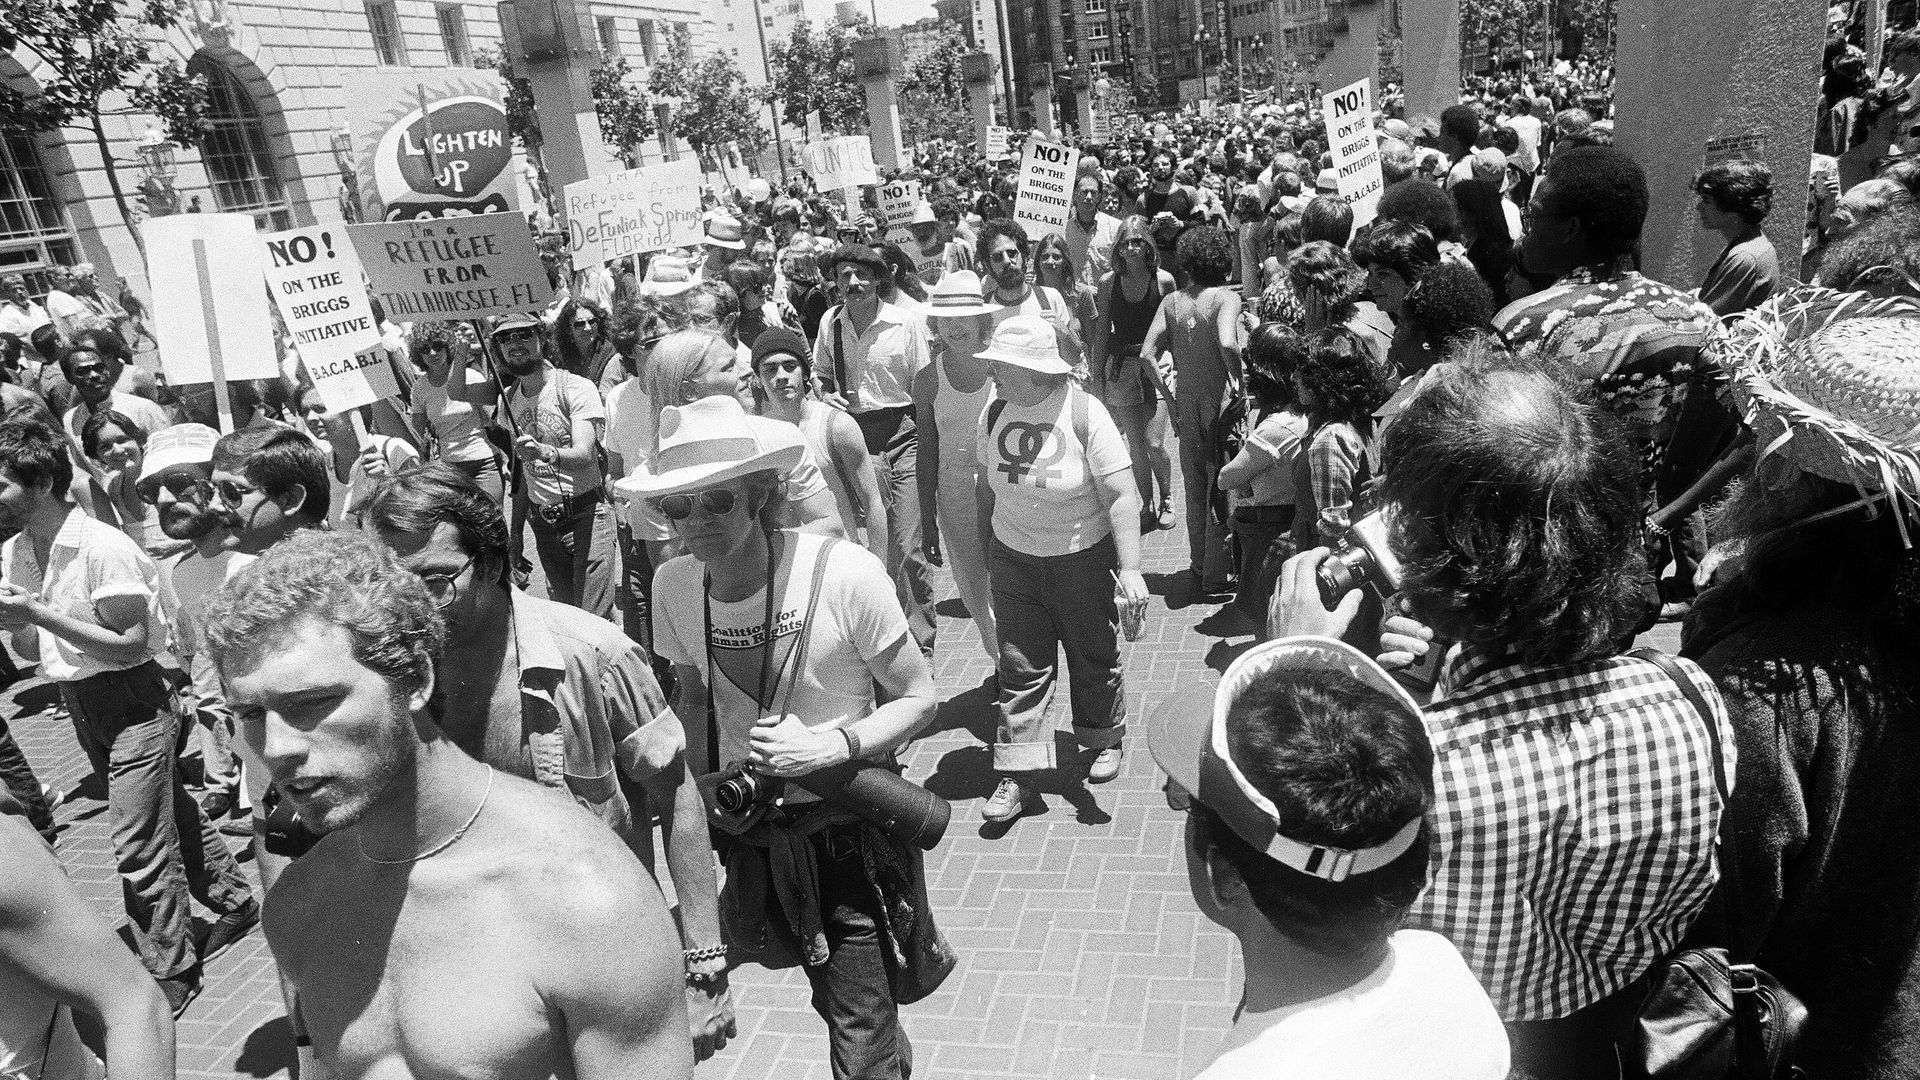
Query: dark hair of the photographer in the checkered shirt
[1516,514]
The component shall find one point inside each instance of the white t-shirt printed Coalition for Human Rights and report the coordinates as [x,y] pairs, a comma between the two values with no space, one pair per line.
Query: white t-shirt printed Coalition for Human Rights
[855,622]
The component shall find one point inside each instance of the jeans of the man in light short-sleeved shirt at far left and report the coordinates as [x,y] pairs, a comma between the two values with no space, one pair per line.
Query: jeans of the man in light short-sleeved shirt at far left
[164,847]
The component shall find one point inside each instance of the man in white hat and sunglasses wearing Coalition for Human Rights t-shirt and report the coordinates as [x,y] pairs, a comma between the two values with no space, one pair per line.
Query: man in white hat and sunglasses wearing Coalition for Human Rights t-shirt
[779,641]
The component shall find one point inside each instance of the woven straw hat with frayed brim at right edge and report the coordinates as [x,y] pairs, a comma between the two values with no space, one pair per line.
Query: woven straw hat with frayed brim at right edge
[1831,381]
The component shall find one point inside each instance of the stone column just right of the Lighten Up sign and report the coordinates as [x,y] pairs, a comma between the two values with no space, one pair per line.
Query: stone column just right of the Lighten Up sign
[554,49]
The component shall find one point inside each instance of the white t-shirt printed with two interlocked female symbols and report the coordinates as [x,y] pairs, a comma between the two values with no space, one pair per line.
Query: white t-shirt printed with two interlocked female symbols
[1045,499]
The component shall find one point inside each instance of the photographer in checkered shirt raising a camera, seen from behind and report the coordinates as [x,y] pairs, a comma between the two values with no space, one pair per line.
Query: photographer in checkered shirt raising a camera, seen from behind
[1575,791]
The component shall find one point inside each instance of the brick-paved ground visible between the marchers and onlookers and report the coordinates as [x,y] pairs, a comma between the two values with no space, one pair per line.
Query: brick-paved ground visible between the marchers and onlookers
[1082,954]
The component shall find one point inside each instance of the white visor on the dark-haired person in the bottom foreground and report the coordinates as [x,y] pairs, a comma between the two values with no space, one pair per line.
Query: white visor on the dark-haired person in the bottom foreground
[1188,737]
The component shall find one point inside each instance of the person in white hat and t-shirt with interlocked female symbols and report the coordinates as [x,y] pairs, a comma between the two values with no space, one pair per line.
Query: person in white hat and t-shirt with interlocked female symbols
[1061,522]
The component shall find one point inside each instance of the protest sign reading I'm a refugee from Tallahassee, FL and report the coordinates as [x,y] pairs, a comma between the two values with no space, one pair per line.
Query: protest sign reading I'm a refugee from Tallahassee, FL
[456,268]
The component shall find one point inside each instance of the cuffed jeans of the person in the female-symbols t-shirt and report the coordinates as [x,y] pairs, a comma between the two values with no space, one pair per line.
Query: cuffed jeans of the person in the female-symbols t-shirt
[1045,606]
